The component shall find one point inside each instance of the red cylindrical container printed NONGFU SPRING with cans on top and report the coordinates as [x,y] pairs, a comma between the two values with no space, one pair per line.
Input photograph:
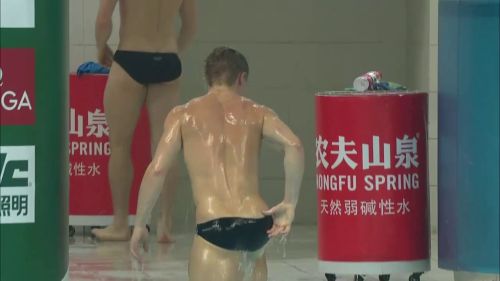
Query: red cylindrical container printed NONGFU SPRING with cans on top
[372,182]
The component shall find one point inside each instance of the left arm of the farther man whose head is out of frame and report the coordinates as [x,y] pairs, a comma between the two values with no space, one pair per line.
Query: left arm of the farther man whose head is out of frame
[103,29]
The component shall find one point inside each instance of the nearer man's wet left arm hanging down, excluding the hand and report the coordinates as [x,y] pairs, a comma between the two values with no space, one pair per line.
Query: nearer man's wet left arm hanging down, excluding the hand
[166,153]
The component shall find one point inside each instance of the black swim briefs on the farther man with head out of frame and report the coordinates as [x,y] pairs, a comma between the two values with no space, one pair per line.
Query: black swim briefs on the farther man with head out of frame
[149,68]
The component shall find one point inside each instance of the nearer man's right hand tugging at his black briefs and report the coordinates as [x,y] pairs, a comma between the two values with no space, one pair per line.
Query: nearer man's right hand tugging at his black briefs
[283,215]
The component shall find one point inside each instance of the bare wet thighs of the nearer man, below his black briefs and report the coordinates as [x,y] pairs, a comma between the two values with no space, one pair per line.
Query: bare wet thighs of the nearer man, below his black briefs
[211,263]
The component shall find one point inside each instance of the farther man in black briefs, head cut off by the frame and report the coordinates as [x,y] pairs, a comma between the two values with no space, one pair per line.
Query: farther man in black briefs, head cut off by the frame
[144,70]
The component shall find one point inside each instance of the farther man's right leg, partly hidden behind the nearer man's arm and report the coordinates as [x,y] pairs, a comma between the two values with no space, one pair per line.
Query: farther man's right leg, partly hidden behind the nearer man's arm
[161,98]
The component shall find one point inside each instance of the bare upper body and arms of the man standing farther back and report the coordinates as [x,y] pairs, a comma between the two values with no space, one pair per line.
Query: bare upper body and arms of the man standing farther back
[146,26]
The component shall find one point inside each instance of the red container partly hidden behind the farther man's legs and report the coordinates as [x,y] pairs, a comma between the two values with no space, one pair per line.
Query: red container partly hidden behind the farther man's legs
[89,150]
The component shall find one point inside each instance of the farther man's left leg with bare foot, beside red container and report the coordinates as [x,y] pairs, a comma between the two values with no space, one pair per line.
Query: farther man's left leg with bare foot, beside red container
[123,99]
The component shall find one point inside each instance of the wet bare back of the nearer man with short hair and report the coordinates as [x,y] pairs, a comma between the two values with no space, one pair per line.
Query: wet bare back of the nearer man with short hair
[221,137]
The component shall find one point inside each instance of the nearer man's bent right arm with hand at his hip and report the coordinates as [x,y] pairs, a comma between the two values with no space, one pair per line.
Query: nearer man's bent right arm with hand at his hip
[278,132]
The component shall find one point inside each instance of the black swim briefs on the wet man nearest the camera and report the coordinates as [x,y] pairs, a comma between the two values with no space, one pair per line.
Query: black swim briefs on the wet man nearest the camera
[239,234]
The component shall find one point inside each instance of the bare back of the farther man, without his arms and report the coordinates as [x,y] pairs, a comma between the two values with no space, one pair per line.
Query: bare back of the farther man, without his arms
[148,25]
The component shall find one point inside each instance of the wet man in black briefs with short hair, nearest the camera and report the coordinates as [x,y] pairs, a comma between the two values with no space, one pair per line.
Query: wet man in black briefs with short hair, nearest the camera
[221,134]
